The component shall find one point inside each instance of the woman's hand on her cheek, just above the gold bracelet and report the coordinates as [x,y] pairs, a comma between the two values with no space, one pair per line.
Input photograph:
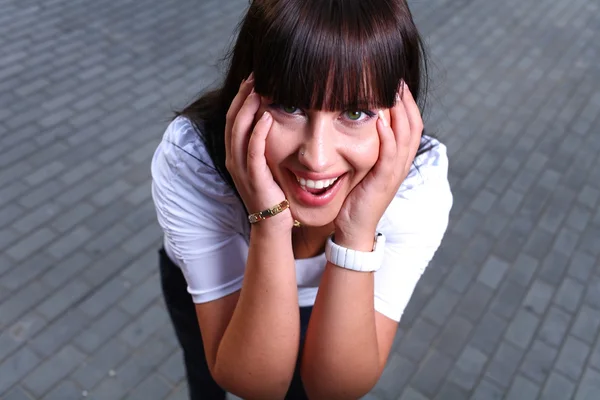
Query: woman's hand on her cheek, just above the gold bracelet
[245,155]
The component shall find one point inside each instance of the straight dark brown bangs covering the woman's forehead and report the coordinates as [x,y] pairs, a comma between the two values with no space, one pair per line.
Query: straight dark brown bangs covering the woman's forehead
[330,54]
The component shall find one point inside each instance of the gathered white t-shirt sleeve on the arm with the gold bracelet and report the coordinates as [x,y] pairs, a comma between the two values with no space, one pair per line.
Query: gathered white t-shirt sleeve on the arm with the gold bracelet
[199,214]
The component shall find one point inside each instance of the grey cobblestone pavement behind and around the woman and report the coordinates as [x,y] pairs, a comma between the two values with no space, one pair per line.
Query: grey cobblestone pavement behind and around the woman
[509,308]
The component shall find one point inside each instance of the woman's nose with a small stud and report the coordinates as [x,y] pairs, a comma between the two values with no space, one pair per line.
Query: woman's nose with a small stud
[317,153]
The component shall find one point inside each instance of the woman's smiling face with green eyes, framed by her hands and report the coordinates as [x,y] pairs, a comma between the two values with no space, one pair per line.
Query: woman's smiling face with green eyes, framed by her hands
[318,157]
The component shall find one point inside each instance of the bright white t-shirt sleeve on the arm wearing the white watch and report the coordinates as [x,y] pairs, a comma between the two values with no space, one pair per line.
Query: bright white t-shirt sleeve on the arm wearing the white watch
[414,225]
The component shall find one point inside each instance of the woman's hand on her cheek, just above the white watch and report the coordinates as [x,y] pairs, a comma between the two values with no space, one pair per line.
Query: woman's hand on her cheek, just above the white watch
[399,141]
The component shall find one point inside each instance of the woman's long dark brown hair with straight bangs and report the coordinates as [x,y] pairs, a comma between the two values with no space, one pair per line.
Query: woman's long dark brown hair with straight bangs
[316,54]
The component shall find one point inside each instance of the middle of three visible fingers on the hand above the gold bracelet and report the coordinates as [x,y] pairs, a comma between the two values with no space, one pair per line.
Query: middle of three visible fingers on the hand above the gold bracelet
[242,128]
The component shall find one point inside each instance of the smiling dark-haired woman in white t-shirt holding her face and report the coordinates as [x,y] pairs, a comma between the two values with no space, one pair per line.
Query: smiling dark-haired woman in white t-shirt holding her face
[314,131]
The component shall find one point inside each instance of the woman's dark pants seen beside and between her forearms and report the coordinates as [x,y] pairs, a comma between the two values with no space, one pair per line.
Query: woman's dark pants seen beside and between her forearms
[183,315]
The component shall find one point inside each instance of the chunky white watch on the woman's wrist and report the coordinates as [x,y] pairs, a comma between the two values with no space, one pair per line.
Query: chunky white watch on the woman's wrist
[363,261]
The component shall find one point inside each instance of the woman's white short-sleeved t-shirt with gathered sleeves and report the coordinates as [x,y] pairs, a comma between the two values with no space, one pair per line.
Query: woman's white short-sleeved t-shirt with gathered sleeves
[207,235]
